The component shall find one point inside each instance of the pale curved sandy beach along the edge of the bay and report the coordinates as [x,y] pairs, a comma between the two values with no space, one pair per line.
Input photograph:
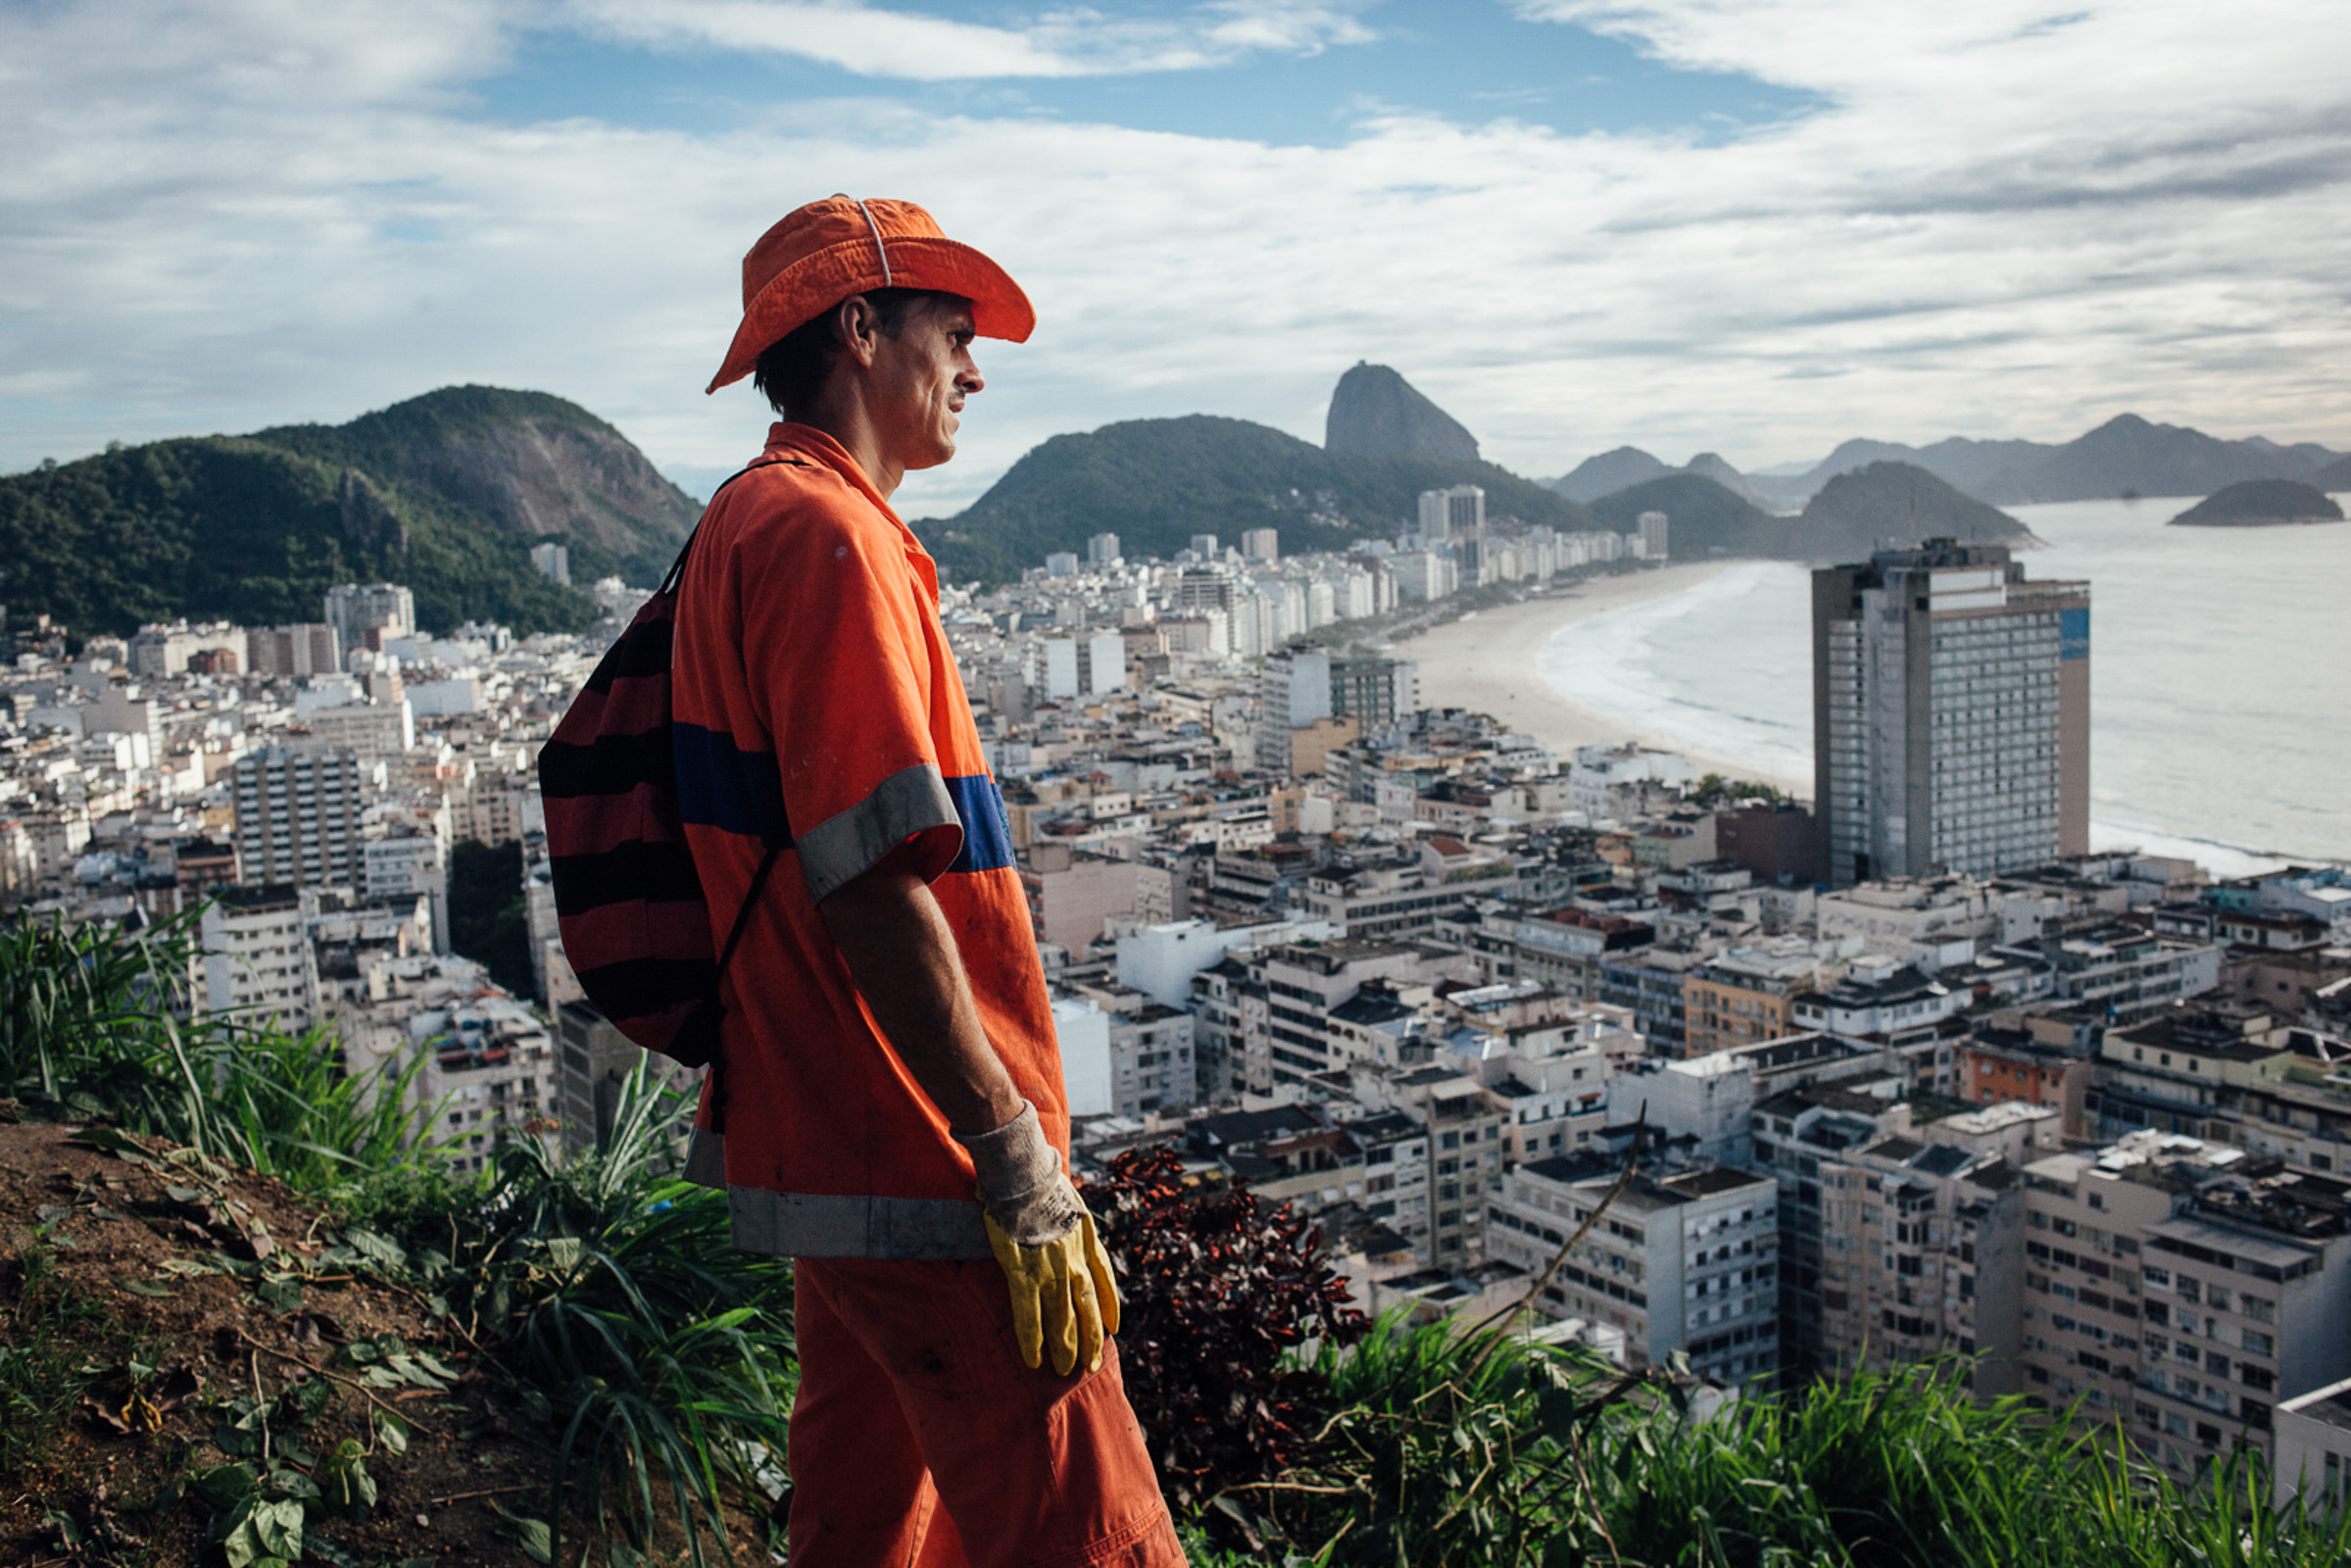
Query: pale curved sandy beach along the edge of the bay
[1487,664]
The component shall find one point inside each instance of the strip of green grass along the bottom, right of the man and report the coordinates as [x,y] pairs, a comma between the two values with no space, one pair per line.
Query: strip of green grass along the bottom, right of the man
[1499,1454]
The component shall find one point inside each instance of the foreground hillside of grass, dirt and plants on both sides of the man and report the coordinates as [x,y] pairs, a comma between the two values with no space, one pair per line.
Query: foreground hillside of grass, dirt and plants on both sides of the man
[248,1318]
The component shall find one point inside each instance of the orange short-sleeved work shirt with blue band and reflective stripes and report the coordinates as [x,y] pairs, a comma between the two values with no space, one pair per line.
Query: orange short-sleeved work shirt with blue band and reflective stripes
[817,706]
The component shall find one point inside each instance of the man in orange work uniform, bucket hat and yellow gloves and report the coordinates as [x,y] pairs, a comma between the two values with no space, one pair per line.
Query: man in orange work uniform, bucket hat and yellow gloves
[890,1099]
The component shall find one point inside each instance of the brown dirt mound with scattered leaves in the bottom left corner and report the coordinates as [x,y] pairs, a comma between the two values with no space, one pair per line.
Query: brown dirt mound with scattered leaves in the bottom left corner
[168,1292]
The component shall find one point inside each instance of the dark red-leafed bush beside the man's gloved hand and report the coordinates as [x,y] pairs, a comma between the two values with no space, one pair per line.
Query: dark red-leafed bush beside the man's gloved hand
[1219,1289]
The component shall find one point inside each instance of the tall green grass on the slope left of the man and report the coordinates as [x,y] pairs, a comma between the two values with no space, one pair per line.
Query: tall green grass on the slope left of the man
[605,1289]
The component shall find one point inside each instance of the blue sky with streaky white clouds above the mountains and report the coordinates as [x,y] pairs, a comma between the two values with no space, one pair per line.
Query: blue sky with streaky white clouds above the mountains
[1750,227]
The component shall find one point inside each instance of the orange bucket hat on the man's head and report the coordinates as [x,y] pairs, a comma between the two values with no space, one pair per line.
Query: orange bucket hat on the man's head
[836,248]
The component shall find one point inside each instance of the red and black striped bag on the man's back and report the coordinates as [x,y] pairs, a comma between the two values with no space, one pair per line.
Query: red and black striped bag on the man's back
[627,899]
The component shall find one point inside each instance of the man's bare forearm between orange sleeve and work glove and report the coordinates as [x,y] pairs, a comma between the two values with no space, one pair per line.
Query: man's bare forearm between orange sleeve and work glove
[904,960]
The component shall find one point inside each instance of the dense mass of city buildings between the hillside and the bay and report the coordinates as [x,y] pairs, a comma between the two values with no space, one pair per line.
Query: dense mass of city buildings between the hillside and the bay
[1786,1090]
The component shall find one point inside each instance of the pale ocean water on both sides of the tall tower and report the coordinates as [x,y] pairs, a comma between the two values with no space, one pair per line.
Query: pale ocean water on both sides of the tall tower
[2221,681]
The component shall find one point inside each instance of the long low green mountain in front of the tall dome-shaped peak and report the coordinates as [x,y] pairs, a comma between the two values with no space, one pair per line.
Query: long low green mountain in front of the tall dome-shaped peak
[1160,481]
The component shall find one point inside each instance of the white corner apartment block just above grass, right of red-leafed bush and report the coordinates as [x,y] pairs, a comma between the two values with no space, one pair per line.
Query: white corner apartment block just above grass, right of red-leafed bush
[1677,1264]
